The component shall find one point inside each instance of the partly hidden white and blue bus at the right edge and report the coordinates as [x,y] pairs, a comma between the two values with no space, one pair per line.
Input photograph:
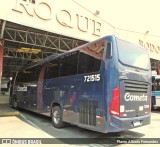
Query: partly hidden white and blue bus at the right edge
[155,91]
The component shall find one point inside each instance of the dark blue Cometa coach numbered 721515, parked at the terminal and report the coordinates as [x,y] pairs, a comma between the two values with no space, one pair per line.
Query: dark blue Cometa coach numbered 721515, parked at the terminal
[103,86]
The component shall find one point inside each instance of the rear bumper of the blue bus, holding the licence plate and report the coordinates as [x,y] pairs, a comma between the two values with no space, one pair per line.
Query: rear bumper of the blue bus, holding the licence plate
[121,124]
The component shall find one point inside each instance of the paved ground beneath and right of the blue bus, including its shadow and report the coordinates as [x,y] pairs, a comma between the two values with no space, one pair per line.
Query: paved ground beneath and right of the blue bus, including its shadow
[44,124]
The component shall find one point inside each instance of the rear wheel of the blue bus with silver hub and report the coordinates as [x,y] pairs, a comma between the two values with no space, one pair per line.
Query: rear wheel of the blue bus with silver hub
[56,115]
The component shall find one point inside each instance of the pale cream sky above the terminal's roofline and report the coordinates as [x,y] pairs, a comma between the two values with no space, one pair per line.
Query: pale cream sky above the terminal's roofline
[134,15]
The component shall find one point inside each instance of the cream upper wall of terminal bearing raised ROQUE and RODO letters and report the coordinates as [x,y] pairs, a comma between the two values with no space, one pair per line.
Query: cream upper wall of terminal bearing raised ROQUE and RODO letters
[69,19]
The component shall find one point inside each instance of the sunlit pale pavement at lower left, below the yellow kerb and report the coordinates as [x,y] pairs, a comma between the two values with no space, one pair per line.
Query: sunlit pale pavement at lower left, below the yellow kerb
[14,127]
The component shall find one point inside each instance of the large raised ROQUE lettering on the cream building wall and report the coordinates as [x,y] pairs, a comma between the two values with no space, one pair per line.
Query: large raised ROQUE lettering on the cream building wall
[48,12]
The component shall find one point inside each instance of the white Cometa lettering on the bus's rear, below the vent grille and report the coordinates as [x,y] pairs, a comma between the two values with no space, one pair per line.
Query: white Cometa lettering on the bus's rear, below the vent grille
[130,97]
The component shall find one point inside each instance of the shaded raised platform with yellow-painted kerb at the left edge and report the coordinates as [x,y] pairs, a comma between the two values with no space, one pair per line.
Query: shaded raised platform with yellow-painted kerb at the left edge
[5,109]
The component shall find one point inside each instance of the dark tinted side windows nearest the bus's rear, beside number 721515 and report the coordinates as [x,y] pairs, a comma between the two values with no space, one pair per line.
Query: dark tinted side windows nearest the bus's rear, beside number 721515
[72,64]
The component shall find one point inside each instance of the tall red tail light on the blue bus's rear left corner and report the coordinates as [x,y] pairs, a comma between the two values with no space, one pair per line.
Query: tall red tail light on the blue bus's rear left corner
[114,107]
